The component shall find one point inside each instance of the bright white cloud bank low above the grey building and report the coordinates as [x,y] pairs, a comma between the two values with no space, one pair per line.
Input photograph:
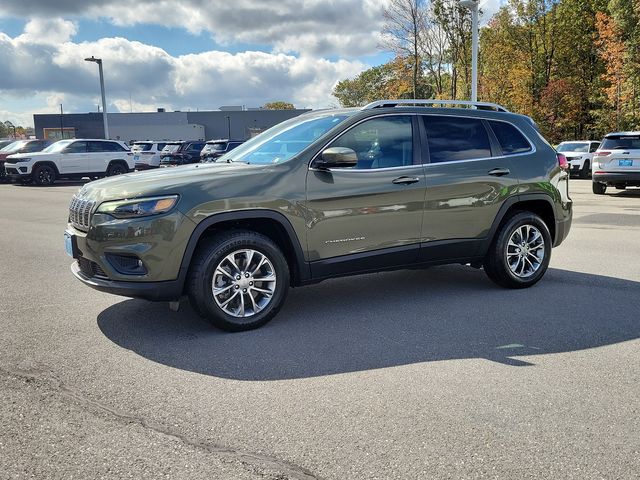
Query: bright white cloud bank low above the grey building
[54,66]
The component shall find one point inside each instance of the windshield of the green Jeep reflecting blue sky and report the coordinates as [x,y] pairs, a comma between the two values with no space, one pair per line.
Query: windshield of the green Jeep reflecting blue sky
[280,143]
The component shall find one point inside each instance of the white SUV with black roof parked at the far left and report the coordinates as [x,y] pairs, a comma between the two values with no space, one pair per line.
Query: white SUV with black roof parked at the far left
[74,158]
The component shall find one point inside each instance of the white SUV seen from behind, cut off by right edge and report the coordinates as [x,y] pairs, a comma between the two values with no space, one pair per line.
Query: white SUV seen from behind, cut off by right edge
[617,162]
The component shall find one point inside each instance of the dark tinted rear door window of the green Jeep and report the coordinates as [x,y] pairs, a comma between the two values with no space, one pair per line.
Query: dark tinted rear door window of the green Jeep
[456,138]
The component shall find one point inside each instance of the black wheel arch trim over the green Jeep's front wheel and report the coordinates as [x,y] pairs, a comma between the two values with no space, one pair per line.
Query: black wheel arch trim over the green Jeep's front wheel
[273,225]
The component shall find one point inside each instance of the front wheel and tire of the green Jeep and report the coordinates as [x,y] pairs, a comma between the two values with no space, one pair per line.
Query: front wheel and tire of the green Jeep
[250,306]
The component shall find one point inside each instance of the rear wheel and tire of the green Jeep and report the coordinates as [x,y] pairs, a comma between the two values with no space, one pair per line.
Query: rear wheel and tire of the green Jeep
[523,228]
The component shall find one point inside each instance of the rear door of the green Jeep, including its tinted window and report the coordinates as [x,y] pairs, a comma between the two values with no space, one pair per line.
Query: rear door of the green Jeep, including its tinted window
[468,179]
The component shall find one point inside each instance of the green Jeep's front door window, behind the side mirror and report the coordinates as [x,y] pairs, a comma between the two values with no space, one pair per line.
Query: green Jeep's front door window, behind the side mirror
[380,142]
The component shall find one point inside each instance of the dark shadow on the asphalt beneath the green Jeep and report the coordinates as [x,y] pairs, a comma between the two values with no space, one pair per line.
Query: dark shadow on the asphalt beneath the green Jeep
[386,320]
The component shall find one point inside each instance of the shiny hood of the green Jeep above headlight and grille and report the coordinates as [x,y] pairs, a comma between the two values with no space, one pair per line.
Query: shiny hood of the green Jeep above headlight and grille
[164,181]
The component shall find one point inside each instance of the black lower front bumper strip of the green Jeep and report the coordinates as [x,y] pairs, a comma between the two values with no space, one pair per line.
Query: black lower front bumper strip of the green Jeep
[156,291]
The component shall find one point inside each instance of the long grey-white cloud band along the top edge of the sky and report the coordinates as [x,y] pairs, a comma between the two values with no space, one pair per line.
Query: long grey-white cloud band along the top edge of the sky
[321,27]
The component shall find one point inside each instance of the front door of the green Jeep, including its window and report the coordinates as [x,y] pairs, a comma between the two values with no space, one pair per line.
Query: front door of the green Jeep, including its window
[362,217]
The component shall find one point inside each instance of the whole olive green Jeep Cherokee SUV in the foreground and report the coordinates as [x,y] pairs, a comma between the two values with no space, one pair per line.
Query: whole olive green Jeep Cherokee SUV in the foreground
[393,185]
